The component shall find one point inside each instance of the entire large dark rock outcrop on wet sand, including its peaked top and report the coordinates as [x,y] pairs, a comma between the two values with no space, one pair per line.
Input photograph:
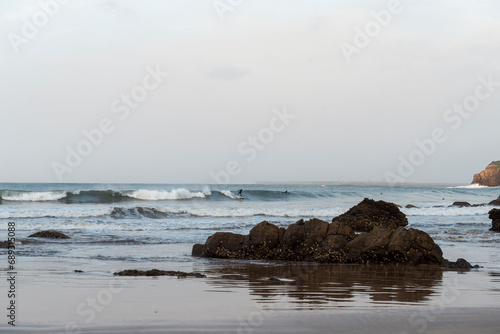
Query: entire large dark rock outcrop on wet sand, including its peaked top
[387,240]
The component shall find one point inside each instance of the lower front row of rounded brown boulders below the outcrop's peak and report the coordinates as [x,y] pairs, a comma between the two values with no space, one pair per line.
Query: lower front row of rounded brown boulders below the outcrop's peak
[318,241]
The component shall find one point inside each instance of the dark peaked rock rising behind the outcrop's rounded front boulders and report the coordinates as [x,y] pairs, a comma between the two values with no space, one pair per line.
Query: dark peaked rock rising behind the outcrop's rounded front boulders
[369,213]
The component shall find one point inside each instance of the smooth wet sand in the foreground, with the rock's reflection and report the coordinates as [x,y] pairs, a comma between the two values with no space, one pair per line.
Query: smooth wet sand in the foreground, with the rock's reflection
[242,297]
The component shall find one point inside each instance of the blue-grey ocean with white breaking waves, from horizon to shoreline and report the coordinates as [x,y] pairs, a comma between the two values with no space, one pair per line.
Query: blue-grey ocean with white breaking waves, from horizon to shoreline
[138,225]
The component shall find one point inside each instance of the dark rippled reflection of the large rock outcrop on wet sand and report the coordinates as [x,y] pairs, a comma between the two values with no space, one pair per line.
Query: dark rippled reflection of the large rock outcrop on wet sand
[312,285]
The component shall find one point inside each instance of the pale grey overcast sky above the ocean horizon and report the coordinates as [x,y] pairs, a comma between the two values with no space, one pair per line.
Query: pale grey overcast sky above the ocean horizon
[232,65]
